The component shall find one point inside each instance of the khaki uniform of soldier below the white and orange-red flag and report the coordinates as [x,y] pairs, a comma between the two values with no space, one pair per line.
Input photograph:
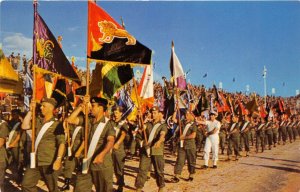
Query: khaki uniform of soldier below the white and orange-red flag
[156,157]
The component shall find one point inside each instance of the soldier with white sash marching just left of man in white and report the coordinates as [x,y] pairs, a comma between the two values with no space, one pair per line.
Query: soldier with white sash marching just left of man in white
[186,147]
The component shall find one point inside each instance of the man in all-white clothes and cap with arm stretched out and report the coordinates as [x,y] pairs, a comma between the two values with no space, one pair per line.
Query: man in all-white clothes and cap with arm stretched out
[212,139]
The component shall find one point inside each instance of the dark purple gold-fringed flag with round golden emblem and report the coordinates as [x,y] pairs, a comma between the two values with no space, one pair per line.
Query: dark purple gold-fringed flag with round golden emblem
[47,53]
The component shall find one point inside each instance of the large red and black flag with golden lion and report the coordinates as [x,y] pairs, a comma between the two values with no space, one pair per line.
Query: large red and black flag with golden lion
[109,41]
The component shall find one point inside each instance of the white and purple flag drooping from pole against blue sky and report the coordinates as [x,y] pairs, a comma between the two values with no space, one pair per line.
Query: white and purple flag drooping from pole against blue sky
[177,70]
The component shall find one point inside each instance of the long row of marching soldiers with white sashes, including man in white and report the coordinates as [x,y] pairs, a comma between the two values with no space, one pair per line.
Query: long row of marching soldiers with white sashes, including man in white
[108,148]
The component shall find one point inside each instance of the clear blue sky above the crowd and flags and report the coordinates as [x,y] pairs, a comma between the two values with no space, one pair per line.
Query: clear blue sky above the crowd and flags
[226,40]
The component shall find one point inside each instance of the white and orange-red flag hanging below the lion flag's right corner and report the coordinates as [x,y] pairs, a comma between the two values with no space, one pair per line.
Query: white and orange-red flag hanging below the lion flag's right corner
[145,88]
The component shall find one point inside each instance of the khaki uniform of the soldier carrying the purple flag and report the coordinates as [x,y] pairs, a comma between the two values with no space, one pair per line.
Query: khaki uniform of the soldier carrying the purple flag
[46,154]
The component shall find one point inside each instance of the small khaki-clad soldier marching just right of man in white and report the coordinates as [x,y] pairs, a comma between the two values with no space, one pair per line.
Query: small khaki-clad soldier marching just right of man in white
[233,138]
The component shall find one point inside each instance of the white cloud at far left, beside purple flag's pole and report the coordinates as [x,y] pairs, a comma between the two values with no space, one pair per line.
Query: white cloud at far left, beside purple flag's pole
[17,43]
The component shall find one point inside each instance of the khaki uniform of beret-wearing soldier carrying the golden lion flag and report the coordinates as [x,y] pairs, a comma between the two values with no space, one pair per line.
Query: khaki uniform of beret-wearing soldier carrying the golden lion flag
[101,175]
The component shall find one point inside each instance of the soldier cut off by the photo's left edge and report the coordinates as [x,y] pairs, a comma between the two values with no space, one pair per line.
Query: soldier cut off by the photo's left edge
[3,156]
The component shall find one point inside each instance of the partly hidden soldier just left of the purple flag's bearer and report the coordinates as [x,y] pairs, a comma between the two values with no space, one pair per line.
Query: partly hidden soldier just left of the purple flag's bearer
[15,145]
